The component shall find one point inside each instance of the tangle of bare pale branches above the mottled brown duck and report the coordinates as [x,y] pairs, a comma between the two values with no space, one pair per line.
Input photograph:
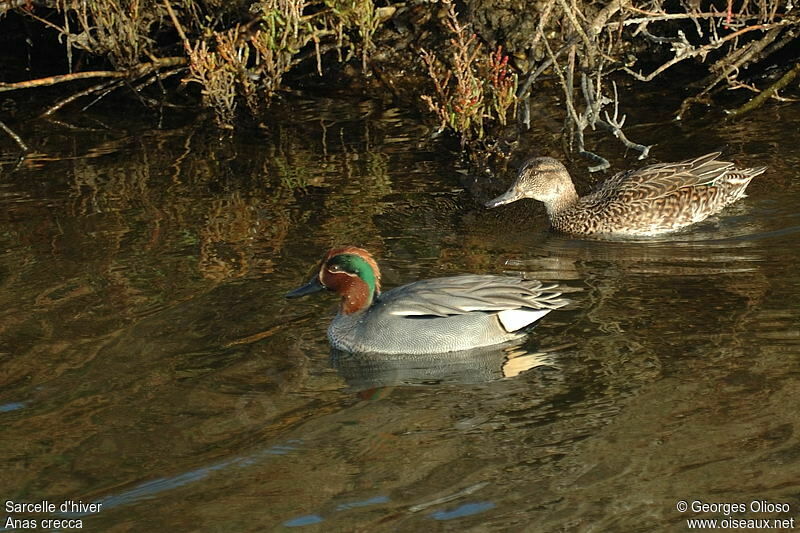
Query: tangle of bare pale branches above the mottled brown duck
[591,48]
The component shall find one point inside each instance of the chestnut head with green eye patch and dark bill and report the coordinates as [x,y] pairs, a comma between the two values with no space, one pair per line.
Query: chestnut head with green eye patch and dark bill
[350,272]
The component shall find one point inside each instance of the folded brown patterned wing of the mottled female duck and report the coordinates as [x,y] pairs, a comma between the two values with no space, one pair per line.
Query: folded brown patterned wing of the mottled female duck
[657,181]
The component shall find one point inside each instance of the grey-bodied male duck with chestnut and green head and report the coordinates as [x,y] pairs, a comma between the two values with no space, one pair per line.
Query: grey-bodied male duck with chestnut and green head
[429,316]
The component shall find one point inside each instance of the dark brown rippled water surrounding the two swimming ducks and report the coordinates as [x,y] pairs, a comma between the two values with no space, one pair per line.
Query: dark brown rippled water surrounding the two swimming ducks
[149,363]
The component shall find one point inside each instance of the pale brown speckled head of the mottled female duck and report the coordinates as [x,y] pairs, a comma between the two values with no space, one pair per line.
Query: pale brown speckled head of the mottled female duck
[541,178]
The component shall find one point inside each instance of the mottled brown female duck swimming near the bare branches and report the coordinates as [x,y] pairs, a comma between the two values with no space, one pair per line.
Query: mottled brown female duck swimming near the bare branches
[648,201]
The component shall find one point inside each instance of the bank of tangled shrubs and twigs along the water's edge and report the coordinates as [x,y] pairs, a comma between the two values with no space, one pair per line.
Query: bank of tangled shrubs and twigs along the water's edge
[475,67]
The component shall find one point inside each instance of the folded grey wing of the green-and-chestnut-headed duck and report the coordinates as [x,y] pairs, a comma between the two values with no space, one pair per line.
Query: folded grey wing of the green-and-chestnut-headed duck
[460,295]
